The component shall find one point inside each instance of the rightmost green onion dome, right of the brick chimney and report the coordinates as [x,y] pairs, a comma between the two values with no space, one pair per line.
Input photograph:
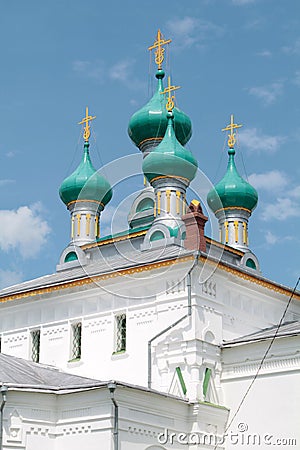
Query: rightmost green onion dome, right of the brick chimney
[232,191]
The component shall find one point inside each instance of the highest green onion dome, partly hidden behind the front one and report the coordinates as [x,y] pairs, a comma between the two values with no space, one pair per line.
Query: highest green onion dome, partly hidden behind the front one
[148,125]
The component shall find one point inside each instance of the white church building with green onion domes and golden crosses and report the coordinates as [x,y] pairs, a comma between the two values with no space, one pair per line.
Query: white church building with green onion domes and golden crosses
[159,336]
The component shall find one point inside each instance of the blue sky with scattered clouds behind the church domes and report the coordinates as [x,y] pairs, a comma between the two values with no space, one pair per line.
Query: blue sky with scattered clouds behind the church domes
[228,56]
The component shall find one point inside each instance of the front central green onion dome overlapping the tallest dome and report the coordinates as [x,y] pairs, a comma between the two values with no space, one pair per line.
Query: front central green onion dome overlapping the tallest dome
[170,158]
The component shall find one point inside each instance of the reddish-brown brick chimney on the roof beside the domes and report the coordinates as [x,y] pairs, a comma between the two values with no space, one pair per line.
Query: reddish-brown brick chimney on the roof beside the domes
[195,222]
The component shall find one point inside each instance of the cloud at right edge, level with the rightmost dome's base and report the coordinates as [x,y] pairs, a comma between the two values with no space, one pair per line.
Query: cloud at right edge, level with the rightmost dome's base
[283,208]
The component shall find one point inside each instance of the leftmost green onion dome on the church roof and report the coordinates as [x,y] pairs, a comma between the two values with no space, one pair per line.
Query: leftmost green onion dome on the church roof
[85,183]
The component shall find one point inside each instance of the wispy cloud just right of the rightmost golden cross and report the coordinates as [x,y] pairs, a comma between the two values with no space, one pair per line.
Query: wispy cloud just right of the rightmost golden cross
[256,141]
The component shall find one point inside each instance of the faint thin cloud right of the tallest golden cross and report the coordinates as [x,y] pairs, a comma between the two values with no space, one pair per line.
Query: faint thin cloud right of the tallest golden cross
[188,31]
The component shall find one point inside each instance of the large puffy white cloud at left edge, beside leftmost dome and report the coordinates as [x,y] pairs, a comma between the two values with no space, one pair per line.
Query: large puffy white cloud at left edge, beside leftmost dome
[23,230]
